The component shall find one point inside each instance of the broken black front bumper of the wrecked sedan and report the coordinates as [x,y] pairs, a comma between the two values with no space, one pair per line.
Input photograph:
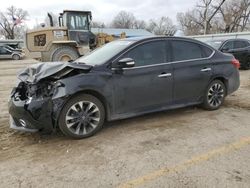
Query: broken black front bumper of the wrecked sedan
[31,115]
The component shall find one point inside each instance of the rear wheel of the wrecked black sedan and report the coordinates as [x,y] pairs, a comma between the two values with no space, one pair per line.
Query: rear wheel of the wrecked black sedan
[215,95]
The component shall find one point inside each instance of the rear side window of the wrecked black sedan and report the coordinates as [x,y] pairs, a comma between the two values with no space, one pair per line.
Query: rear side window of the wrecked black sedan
[183,50]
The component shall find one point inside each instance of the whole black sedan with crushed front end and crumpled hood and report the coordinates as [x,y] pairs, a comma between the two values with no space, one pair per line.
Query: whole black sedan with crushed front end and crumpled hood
[122,79]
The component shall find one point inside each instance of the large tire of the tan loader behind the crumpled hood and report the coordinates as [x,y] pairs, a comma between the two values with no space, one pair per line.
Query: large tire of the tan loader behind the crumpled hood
[65,53]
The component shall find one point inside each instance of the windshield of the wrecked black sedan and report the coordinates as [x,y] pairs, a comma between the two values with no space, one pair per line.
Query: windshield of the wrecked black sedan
[104,53]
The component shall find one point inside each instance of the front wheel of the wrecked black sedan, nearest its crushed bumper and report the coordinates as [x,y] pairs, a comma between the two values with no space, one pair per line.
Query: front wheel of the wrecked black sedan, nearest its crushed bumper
[82,116]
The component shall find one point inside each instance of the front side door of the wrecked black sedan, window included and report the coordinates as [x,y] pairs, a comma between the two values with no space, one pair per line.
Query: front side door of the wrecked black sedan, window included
[148,85]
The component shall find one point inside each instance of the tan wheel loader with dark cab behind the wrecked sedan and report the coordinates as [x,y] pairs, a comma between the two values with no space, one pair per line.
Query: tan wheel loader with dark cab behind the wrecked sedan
[71,39]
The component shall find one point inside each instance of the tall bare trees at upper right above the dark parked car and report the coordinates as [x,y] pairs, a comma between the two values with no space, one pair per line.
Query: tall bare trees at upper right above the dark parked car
[216,16]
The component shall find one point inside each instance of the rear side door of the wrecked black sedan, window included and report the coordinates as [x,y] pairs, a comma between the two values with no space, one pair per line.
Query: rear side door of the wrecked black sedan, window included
[192,70]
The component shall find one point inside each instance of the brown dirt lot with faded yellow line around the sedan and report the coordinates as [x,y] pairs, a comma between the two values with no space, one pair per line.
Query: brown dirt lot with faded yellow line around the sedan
[187,147]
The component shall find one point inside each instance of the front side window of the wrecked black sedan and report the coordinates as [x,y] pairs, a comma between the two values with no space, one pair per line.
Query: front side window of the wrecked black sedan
[148,53]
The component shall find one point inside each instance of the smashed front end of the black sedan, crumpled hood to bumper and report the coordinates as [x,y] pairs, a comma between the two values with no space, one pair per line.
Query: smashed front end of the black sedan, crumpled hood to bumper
[35,100]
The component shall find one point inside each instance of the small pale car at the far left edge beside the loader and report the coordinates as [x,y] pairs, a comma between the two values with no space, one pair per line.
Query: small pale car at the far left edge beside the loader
[7,52]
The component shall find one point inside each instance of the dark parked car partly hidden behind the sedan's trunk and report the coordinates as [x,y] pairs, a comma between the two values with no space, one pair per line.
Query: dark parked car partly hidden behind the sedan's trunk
[240,48]
